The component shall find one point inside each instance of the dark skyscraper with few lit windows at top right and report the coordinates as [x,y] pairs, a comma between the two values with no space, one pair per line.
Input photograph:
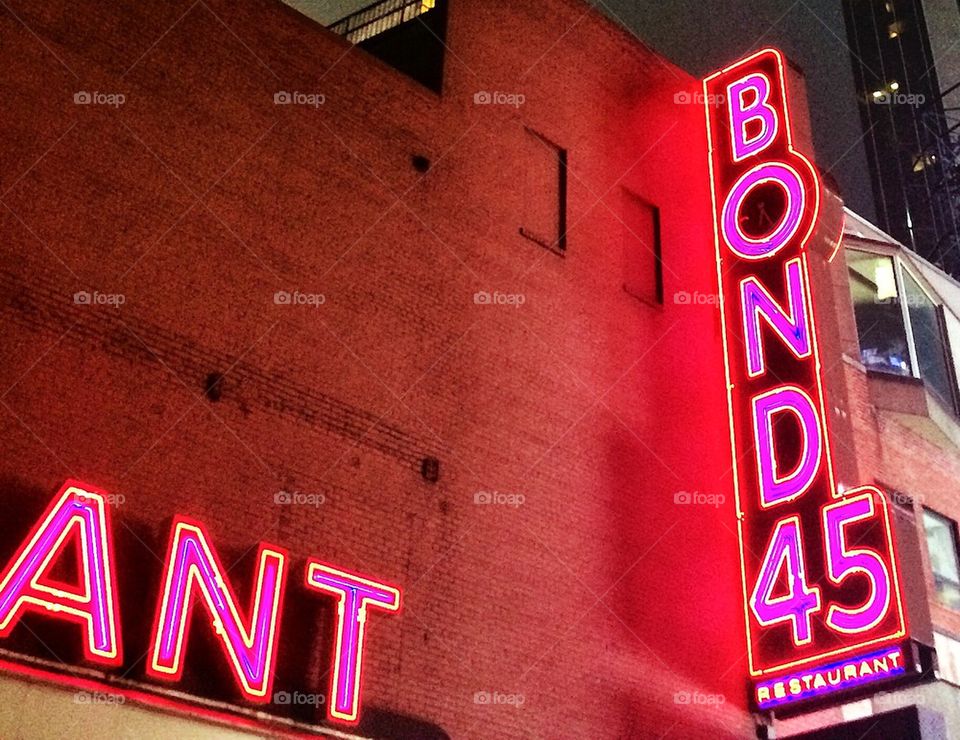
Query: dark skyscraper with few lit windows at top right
[907,73]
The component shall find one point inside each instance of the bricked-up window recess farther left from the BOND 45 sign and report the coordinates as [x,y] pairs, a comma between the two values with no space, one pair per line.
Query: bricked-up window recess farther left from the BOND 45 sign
[544,181]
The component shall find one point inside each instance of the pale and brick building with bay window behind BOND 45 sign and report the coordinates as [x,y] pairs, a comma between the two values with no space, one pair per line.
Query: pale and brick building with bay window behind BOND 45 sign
[898,332]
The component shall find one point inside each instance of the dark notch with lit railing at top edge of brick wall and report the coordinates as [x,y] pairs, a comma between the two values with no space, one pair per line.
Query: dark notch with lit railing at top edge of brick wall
[408,35]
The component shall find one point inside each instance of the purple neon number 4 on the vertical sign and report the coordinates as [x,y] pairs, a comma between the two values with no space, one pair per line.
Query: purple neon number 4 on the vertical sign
[800,602]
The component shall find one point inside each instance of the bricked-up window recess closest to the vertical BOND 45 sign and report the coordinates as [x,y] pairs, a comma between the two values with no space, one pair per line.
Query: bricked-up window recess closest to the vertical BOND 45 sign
[642,266]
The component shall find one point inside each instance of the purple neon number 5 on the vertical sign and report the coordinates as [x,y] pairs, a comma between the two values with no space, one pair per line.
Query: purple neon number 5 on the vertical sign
[843,562]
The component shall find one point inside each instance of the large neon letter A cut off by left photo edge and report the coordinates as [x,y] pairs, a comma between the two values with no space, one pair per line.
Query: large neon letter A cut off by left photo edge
[61,607]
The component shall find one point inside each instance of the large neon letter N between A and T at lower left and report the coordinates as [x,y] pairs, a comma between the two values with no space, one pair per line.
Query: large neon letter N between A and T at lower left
[175,672]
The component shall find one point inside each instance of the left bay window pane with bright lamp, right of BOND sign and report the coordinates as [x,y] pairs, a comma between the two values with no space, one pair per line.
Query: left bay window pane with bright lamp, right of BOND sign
[876,304]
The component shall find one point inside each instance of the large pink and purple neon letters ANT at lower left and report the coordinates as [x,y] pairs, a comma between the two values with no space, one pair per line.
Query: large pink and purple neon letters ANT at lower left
[77,527]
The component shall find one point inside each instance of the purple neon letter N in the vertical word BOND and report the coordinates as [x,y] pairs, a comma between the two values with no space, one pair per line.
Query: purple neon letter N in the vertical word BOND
[793,328]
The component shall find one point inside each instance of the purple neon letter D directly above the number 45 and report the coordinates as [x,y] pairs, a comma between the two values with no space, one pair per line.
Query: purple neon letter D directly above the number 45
[774,487]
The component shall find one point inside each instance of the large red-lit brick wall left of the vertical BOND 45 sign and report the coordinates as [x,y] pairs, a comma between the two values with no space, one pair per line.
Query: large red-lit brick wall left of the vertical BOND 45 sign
[599,599]
